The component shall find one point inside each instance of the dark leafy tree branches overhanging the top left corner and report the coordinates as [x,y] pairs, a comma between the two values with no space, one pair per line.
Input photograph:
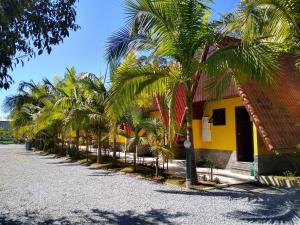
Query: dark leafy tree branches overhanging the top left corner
[28,26]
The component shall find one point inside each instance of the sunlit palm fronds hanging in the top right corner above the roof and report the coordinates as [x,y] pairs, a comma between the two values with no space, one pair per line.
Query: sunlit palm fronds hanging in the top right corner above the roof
[275,22]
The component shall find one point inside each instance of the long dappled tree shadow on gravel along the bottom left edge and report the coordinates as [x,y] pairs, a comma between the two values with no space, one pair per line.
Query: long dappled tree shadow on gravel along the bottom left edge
[96,216]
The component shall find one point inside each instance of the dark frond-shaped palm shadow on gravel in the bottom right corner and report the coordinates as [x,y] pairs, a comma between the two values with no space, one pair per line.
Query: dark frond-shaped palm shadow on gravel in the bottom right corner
[275,207]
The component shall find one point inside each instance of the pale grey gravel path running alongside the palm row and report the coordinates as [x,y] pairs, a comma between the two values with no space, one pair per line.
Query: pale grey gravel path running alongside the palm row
[37,189]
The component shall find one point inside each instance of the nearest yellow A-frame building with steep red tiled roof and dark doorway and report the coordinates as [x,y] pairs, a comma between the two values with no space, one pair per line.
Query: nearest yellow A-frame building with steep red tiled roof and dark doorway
[252,129]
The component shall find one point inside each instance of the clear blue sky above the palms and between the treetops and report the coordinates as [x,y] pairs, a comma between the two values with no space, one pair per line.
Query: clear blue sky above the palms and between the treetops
[84,49]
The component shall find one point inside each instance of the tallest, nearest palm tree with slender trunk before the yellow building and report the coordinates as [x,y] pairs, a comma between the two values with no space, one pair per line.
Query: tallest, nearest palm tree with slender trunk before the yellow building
[180,31]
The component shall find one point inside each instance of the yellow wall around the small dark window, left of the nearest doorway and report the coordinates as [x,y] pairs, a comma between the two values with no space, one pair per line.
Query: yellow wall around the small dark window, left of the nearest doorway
[222,137]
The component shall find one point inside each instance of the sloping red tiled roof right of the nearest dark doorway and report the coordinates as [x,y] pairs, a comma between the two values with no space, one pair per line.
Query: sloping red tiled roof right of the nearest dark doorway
[276,110]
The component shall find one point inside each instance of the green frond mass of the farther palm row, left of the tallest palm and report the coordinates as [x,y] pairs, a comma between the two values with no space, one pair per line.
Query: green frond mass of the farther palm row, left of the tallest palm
[48,110]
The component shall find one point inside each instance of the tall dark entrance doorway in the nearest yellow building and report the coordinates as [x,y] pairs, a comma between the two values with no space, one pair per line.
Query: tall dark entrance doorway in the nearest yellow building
[244,135]
